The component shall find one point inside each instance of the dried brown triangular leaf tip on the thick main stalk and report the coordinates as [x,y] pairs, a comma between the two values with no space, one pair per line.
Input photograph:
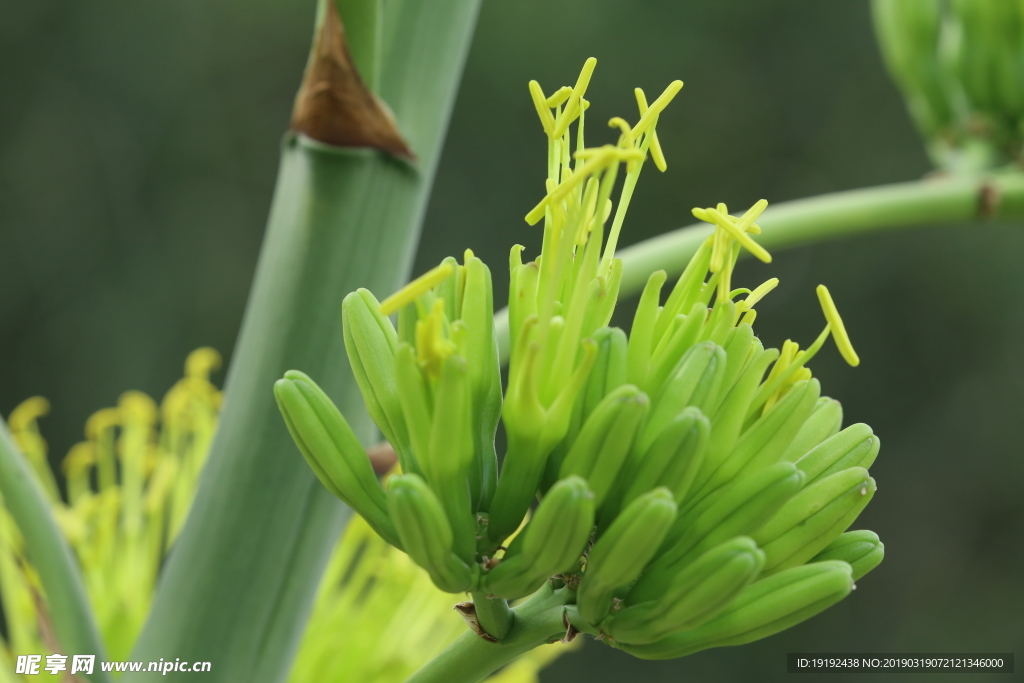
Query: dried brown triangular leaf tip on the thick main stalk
[334,106]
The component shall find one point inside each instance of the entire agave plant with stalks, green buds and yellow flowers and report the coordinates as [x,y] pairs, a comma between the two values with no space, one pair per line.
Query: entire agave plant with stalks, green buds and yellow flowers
[695,487]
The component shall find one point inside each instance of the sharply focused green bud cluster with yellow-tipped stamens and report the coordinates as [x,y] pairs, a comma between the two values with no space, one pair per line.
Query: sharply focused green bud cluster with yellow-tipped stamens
[696,488]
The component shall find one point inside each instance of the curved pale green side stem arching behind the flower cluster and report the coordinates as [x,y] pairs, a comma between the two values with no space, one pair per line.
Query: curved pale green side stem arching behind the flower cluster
[932,201]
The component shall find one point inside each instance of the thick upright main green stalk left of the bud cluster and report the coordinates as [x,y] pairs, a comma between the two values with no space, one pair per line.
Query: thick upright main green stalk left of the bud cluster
[242,578]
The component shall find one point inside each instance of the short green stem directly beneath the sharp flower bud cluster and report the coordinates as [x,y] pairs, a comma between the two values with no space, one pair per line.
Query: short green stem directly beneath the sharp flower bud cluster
[472,659]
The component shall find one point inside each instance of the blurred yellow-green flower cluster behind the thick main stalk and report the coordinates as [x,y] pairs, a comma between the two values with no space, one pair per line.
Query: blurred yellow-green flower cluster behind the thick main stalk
[131,485]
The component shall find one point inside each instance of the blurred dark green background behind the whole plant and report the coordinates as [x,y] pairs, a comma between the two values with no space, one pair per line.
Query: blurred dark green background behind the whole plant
[139,148]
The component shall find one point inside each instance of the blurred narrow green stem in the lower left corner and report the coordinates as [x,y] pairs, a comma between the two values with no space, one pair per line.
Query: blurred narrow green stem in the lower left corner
[51,554]
